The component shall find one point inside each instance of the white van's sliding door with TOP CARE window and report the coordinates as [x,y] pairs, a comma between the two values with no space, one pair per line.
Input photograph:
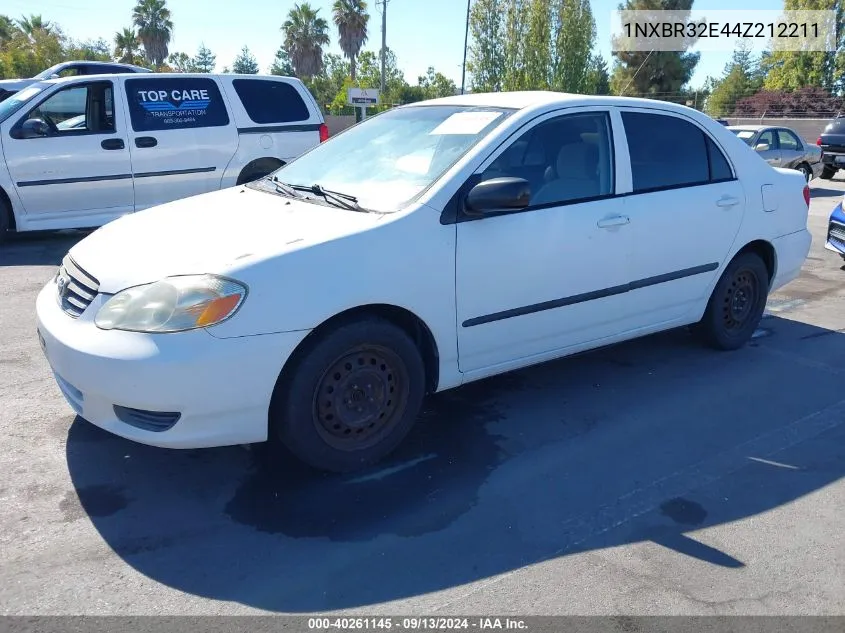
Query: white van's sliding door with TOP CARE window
[181,136]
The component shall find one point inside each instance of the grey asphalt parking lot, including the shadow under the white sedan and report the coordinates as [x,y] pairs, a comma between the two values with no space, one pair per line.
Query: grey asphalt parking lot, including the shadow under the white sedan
[655,477]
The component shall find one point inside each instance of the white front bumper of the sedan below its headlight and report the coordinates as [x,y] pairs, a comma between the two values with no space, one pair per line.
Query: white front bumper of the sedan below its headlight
[220,388]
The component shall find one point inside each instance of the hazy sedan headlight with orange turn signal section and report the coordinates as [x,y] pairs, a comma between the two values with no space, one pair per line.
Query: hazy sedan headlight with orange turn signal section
[173,304]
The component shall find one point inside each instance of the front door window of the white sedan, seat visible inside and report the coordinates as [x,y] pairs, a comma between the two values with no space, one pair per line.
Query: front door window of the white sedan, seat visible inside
[566,159]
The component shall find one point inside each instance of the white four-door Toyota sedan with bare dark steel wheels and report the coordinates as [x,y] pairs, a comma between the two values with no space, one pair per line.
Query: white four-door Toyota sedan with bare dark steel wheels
[428,247]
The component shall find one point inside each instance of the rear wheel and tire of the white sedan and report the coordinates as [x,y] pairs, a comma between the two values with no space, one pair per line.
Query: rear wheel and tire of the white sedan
[737,304]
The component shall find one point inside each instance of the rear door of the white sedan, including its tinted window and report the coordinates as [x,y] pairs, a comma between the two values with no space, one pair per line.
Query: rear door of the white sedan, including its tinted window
[686,208]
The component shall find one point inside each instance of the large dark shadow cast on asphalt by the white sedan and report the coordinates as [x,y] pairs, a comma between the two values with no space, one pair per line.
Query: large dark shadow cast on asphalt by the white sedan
[649,441]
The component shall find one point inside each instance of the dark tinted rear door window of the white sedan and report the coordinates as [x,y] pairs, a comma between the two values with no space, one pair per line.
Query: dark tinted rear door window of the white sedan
[668,152]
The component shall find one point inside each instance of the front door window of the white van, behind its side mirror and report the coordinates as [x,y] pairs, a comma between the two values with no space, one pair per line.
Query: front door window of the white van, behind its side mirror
[86,108]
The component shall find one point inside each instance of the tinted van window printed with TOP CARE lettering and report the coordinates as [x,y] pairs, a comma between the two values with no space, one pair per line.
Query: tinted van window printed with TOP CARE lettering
[168,103]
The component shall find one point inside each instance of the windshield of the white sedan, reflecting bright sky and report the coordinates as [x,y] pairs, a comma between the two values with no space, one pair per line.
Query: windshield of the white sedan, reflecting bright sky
[388,160]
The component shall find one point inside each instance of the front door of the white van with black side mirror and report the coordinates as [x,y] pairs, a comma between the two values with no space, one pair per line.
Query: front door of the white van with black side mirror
[77,173]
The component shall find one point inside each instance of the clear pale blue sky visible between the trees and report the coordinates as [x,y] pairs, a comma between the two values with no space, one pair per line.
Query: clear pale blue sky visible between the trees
[422,32]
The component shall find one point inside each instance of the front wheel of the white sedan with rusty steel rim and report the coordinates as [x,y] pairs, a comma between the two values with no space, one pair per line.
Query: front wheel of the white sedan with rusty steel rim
[352,398]
